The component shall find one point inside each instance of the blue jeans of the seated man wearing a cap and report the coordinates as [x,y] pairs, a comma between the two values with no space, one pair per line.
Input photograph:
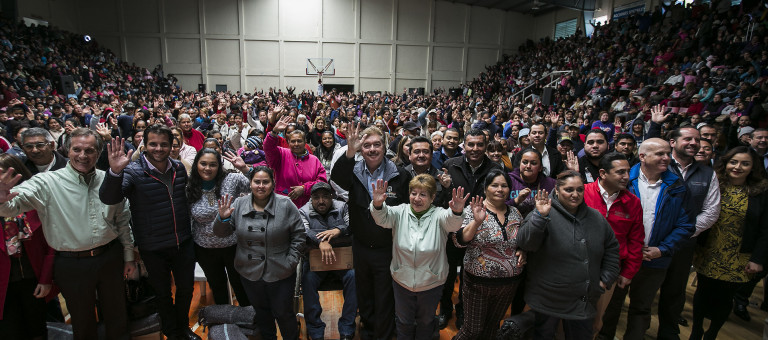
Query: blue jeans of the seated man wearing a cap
[312,309]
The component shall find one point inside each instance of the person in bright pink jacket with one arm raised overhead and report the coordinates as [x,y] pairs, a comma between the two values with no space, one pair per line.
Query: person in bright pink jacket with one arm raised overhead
[296,170]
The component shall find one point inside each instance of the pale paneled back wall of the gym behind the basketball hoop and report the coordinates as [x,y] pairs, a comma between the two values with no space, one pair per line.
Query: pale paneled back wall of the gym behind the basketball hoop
[376,44]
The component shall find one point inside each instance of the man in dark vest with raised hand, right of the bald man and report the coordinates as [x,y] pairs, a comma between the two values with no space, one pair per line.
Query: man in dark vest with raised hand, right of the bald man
[703,201]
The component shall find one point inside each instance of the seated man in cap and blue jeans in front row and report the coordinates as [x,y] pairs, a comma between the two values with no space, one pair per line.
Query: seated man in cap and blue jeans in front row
[326,222]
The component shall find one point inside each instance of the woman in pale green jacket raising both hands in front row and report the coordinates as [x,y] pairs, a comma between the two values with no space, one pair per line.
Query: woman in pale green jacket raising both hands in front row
[419,264]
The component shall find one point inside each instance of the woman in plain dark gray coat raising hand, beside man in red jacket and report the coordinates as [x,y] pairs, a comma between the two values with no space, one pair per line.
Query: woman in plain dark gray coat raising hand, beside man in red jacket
[573,256]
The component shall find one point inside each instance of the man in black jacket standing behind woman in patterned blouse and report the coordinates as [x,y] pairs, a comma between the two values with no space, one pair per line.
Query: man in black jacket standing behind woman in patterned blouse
[468,172]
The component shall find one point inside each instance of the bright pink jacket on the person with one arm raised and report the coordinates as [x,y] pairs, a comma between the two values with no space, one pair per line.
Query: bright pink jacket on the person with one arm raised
[291,170]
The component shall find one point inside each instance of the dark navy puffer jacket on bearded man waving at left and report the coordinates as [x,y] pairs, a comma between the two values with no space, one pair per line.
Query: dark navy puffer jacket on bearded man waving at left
[160,214]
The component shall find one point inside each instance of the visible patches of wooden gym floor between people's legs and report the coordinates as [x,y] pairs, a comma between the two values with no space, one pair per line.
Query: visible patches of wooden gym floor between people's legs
[735,328]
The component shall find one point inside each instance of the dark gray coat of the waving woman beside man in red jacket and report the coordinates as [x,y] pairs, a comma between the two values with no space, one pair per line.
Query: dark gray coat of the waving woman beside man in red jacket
[568,256]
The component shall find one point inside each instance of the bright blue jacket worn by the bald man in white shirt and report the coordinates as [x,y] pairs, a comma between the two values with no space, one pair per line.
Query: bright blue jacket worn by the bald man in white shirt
[671,225]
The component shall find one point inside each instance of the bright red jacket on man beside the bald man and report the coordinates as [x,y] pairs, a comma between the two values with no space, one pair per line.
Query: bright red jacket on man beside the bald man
[626,219]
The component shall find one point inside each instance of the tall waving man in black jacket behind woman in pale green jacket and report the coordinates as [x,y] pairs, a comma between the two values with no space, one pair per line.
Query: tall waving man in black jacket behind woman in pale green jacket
[372,244]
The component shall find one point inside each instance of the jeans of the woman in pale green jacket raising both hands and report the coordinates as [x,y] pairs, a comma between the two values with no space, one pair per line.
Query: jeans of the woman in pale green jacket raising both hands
[415,312]
